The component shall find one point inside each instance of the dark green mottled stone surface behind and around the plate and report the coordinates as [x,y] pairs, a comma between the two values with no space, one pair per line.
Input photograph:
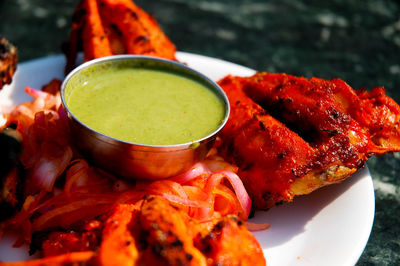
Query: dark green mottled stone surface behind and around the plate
[358,41]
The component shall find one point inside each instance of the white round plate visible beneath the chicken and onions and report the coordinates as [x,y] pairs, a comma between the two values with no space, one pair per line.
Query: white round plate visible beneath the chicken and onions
[328,227]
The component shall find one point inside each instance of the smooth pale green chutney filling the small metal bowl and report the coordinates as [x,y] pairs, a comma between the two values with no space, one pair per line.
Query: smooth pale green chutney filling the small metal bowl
[146,106]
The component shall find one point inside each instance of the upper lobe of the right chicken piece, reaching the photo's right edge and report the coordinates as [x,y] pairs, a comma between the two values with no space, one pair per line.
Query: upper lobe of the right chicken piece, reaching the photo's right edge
[315,100]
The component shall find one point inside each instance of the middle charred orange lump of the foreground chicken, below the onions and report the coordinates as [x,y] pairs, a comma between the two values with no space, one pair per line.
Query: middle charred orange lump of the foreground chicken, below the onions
[166,235]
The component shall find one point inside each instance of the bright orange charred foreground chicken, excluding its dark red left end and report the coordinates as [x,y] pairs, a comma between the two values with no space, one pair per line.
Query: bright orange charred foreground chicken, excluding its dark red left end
[160,233]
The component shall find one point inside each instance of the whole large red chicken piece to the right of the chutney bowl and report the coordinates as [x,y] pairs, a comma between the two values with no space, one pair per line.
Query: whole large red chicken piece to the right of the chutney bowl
[291,135]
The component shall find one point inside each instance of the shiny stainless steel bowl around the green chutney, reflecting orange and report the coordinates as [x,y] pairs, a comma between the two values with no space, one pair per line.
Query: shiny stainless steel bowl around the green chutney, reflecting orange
[133,160]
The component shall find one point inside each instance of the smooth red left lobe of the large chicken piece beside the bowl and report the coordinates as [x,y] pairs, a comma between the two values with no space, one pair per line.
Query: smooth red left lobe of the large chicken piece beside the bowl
[265,150]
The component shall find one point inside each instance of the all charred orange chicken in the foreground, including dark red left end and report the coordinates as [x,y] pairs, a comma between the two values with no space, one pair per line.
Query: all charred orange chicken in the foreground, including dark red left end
[153,231]
